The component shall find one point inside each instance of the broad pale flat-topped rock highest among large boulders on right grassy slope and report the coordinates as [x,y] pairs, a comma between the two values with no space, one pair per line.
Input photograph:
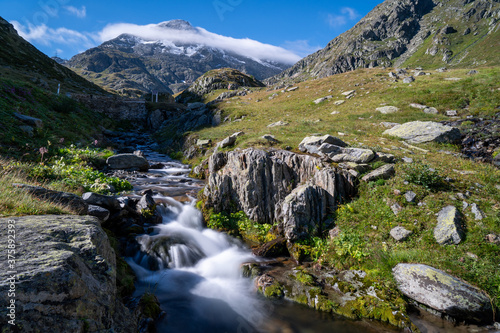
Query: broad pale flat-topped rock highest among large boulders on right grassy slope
[425,131]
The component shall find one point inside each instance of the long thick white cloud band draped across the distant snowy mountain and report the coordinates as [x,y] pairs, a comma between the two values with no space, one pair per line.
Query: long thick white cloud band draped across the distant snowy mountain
[245,46]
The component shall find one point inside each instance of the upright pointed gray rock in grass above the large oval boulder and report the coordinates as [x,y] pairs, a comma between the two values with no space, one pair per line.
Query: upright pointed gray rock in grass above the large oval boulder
[449,229]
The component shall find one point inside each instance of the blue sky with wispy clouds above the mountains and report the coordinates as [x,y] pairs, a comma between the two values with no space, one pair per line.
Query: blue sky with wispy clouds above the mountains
[72,26]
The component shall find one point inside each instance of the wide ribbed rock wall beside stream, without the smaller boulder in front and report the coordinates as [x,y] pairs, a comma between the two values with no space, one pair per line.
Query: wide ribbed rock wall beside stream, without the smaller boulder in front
[257,182]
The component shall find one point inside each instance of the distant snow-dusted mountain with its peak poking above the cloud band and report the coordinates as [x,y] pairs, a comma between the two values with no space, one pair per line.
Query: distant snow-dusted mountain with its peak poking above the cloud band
[130,64]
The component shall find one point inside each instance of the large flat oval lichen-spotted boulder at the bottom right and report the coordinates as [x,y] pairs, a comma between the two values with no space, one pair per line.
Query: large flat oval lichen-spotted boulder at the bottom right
[443,292]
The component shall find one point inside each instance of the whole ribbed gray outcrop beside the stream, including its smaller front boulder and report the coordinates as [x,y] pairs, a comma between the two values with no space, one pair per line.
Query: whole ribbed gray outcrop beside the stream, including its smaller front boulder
[276,186]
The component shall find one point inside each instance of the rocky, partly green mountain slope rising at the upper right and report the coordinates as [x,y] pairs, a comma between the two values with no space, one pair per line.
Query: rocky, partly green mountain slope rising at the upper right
[430,33]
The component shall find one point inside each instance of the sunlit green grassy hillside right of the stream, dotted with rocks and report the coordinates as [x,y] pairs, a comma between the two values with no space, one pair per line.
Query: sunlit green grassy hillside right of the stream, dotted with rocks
[366,221]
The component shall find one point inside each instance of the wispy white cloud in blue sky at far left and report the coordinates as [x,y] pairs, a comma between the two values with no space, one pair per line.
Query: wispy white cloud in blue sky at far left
[47,36]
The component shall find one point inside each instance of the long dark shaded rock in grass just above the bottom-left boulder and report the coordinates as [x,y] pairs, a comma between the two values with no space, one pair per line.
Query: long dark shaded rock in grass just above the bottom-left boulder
[73,201]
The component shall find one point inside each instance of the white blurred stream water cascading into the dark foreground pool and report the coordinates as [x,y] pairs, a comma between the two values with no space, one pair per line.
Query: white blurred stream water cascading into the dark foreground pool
[195,272]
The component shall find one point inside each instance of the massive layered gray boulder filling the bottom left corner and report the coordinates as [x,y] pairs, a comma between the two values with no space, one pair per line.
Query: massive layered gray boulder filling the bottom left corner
[67,277]
